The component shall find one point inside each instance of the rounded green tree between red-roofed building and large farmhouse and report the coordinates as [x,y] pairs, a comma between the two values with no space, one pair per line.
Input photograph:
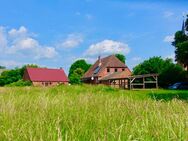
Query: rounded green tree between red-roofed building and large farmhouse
[74,74]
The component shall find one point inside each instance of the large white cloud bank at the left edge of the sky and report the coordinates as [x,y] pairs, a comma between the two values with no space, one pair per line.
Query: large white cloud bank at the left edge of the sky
[20,42]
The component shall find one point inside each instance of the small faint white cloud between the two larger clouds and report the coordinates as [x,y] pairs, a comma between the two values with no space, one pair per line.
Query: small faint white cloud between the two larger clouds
[73,40]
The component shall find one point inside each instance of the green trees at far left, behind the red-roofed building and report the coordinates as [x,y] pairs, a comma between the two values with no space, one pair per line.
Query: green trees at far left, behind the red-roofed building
[10,76]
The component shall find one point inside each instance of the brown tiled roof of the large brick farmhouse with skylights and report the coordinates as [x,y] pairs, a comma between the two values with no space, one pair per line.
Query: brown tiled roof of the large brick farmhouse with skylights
[108,62]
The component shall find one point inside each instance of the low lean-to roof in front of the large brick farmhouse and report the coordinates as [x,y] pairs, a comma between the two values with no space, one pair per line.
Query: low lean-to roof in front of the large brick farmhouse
[116,75]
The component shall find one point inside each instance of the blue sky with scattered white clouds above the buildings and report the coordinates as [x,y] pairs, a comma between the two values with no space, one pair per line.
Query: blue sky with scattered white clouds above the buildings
[56,33]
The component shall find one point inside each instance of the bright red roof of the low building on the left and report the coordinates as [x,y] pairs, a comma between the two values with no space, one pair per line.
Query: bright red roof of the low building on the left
[44,74]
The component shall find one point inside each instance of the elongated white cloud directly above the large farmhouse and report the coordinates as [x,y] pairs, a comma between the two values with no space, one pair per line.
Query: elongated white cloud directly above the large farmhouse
[107,47]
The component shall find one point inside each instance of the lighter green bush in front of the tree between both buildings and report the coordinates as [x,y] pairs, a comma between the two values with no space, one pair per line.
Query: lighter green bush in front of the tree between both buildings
[75,77]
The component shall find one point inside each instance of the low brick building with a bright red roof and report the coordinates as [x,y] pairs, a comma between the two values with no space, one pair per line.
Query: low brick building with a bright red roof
[45,77]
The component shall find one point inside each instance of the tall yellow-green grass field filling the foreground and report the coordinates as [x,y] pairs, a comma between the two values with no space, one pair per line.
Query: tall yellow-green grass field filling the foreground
[92,113]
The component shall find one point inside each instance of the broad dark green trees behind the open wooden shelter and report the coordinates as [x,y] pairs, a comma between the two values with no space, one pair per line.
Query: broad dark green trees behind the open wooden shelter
[169,73]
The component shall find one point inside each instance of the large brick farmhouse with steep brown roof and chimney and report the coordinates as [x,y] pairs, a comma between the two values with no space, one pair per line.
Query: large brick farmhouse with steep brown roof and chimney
[106,69]
